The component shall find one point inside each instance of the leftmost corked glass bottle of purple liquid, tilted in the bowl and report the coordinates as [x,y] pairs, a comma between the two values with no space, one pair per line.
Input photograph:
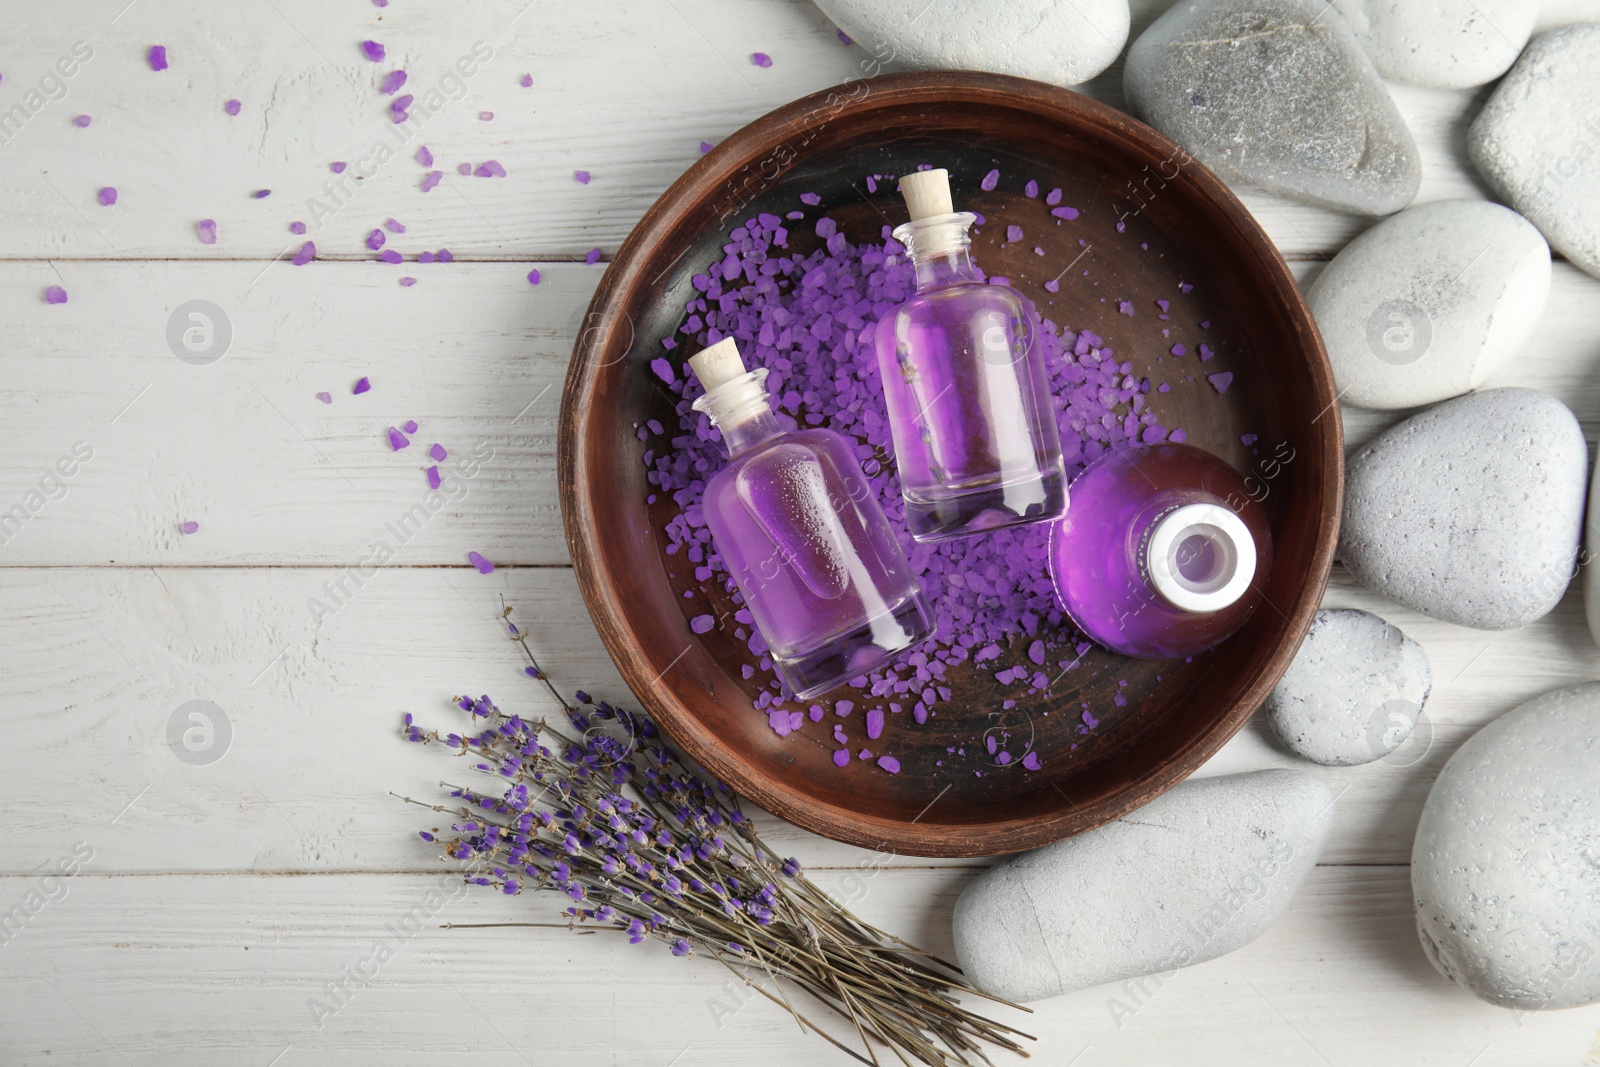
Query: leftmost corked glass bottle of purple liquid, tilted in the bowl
[804,537]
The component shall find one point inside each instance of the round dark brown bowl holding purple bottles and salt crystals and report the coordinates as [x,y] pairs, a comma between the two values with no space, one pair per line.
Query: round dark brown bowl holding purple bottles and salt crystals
[1180,223]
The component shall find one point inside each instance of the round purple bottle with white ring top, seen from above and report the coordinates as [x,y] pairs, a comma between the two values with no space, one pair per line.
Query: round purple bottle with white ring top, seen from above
[1164,553]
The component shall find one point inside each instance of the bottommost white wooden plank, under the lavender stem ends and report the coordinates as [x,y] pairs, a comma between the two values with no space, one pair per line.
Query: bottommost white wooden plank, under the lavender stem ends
[180,970]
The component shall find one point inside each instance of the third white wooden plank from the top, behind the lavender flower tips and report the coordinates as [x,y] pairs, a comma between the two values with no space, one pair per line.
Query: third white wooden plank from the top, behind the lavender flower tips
[102,660]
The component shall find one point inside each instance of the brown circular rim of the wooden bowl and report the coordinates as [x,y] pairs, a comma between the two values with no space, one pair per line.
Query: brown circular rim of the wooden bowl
[754,146]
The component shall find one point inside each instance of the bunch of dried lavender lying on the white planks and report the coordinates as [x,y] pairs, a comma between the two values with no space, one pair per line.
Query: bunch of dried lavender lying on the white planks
[642,844]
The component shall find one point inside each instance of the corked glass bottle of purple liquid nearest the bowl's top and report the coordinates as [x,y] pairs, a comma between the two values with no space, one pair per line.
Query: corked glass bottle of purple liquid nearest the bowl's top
[964,378]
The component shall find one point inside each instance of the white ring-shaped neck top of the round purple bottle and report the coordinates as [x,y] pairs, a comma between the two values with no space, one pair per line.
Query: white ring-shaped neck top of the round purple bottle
[1201,557]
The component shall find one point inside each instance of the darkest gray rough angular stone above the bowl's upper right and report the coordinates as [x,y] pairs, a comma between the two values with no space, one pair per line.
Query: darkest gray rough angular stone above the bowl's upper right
[1279,95]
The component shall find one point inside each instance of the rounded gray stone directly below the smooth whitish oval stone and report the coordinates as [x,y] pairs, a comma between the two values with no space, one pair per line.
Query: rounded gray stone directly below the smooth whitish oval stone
[1471,513]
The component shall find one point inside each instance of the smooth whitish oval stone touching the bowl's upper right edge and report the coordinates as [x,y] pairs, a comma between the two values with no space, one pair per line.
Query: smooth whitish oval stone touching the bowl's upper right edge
[1431,303]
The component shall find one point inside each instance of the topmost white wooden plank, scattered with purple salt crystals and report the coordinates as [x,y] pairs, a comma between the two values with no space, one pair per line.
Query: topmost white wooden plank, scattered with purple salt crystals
[626,94]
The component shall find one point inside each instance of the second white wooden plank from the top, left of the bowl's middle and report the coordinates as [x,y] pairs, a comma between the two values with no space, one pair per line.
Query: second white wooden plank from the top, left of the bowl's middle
[473,353]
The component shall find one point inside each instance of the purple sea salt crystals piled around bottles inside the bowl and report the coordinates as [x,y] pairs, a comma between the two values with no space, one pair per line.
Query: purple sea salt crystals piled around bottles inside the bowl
[823,335]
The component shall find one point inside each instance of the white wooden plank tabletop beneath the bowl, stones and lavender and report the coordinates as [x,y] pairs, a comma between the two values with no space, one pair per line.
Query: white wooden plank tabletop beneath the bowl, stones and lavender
[222,903]
